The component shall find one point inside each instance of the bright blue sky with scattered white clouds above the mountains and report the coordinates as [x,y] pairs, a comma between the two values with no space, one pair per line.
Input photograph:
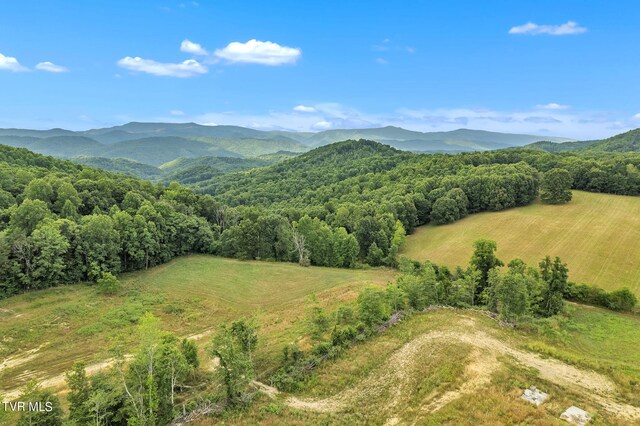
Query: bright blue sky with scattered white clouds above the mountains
[566,68]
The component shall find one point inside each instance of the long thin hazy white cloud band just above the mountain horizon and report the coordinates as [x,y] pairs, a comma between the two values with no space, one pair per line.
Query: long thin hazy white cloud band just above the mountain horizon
[569,123]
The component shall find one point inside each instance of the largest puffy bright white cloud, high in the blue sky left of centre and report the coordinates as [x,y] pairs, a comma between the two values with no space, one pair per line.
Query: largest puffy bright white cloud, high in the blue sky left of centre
[258,52]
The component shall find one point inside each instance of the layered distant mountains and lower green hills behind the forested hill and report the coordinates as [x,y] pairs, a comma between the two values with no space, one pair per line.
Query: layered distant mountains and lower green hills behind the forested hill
[190,152]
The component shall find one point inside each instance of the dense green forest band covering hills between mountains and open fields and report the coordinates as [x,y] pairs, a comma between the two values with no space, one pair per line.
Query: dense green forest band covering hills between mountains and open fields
[337,205]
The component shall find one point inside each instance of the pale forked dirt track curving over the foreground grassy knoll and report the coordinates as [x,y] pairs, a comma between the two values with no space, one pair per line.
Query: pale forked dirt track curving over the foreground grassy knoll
[392,377]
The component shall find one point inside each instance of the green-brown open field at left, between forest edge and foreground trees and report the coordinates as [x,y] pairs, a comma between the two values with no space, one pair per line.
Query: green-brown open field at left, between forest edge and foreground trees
[44,332]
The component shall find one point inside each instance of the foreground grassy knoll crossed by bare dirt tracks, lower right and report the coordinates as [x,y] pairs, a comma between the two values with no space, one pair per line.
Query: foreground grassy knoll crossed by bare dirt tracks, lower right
[413,380]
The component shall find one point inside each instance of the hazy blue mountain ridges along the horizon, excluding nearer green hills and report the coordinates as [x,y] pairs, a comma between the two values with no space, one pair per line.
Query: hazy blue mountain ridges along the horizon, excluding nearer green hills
[174,140]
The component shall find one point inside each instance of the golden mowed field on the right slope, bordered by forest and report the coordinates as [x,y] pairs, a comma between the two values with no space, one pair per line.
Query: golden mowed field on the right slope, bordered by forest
[597,235]
